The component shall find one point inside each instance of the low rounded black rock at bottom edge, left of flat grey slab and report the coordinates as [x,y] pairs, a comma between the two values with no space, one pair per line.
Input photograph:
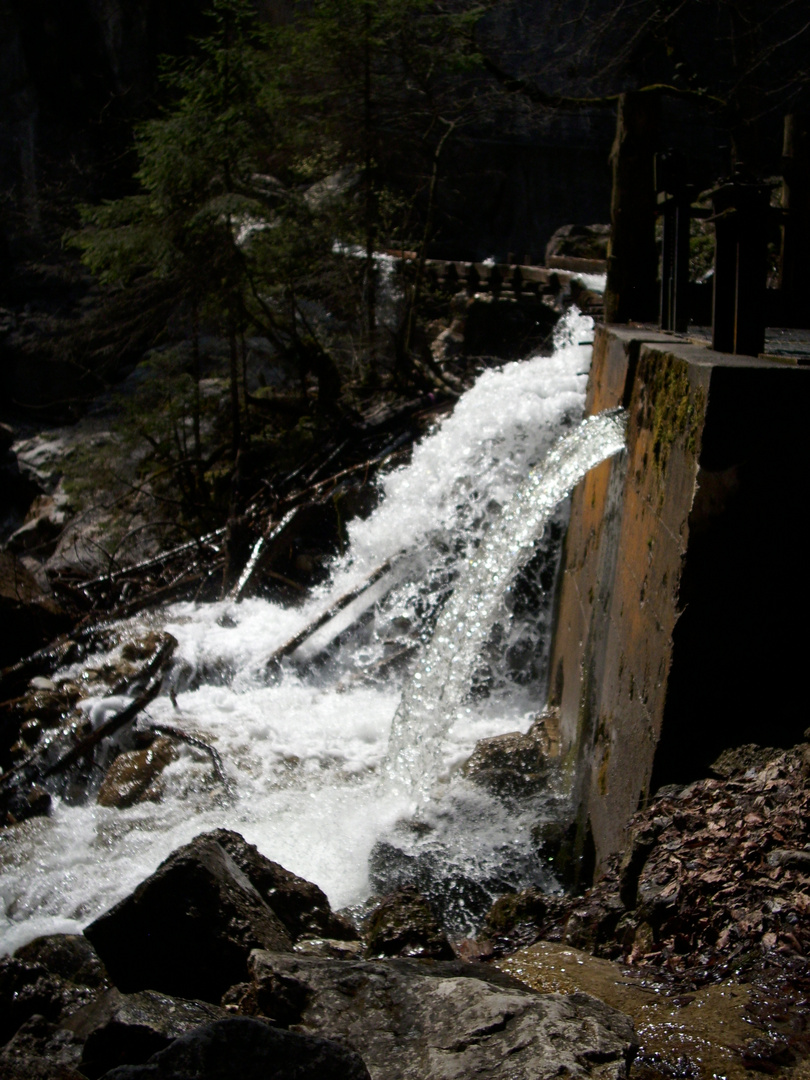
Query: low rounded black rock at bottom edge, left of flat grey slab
[251,1050]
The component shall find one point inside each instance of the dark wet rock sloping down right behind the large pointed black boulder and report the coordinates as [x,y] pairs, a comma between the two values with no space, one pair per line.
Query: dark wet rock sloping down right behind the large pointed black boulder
[301,906]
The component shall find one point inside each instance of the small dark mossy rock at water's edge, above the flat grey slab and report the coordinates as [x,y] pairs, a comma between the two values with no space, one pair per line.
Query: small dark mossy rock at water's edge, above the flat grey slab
[404,925]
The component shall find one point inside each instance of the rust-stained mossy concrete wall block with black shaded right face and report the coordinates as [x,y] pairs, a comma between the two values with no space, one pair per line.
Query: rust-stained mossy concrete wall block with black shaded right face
[679,579]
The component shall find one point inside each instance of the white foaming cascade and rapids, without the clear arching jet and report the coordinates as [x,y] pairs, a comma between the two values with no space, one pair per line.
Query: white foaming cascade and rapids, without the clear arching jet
[305,753]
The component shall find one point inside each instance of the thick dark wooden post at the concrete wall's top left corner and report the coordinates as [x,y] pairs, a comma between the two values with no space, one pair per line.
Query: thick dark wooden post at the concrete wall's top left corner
[632,291]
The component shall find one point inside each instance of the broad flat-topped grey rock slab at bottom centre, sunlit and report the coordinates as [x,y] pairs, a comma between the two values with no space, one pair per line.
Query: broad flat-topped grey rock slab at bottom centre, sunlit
[411,1020]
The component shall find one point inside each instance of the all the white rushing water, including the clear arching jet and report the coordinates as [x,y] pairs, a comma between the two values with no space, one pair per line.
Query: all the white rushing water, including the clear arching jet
[344,763]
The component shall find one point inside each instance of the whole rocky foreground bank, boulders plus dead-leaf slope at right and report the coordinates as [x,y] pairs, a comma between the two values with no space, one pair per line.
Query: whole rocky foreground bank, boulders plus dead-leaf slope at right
[687,960]
